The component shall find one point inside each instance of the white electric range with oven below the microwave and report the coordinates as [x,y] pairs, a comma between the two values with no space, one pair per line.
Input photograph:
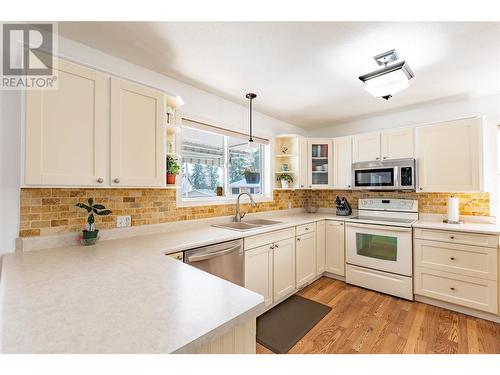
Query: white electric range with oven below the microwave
[379,246]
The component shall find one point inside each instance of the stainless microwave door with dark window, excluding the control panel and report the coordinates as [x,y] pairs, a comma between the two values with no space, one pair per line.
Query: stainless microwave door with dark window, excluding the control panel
[380,178]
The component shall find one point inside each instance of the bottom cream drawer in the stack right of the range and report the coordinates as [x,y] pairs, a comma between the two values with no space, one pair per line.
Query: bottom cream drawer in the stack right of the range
[466,291]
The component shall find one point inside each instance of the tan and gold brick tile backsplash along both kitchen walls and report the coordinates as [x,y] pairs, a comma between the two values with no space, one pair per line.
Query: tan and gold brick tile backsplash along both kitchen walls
[48,211]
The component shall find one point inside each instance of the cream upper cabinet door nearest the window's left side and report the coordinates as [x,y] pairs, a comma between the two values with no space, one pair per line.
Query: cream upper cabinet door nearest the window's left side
[137,136]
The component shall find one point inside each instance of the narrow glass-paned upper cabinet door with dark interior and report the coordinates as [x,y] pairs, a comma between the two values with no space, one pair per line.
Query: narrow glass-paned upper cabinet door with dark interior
[320,163]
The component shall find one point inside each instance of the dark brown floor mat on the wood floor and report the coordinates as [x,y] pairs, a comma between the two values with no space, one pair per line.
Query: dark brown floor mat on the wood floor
[280,328]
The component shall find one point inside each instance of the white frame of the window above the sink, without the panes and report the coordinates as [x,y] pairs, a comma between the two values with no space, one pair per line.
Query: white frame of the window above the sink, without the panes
[228,198]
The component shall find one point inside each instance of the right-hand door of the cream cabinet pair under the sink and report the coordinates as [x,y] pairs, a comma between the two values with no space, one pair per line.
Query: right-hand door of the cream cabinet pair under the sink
[283,268]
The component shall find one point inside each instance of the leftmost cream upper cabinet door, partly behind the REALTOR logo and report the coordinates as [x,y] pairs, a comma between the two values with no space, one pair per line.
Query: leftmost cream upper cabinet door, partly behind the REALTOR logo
[65,130]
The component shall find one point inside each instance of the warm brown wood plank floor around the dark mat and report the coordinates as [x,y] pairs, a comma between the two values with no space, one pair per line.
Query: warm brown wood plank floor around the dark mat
[364,321]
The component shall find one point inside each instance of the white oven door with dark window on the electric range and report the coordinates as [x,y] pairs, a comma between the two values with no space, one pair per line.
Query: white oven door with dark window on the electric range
[379,247]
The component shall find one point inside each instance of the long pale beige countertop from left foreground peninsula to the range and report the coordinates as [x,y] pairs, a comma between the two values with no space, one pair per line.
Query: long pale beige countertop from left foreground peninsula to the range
[124,295]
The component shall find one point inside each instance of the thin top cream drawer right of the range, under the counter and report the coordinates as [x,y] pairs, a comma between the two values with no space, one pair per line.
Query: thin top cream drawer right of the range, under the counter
[474,239]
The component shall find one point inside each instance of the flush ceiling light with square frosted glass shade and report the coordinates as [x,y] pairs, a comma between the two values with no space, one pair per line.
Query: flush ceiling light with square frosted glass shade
[390,79]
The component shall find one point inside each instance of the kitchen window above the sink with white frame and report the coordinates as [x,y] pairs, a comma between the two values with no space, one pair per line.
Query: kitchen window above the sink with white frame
[216,160]
